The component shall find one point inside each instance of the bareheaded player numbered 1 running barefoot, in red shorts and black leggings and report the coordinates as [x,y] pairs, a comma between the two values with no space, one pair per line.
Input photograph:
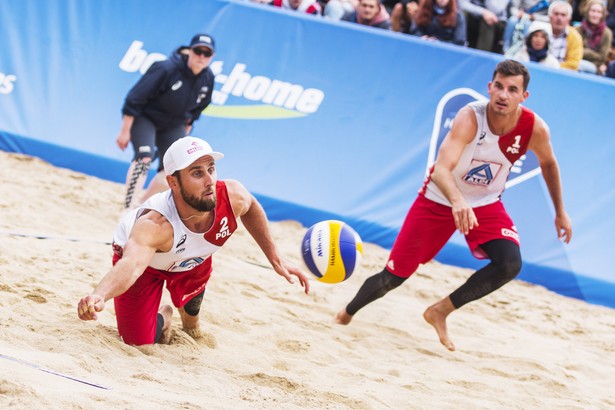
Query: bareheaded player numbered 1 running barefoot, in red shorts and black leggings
[463,192]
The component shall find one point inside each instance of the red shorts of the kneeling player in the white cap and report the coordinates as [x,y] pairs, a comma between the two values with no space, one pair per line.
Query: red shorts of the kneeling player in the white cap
[136,309]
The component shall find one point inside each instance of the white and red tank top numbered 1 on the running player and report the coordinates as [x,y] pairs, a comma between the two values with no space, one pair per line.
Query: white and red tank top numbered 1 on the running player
[485,163]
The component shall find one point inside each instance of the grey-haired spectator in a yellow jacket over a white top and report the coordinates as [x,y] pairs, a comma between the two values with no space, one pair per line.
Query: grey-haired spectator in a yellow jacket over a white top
[566,43]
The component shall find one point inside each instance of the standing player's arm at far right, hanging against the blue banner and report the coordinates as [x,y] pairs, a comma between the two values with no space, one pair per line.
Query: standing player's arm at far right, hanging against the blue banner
[540,144]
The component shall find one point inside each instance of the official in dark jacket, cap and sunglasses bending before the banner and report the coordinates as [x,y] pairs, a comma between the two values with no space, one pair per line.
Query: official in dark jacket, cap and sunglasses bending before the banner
[161,108]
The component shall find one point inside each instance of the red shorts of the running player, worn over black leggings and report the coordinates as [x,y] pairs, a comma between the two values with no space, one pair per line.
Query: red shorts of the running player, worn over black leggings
[429,225]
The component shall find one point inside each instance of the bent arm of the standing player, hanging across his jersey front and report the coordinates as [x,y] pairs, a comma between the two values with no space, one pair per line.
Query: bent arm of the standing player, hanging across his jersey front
[461,134]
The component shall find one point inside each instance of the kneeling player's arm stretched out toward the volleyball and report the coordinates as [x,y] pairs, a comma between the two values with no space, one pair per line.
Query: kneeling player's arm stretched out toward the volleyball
[255,221]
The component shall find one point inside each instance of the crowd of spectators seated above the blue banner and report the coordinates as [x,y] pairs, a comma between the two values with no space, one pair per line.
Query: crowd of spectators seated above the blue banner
[568,34]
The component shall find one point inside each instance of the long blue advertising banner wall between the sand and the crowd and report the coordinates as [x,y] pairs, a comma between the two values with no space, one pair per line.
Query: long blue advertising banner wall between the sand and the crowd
[319,119]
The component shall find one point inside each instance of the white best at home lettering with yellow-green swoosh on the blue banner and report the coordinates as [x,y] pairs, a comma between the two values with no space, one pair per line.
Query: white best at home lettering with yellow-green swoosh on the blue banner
[240,94]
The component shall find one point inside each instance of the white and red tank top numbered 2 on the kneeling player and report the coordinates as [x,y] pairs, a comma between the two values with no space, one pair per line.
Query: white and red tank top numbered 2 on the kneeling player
[189,249]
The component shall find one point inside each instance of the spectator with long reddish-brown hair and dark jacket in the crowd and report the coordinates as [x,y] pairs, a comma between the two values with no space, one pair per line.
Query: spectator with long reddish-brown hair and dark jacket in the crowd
[439,20]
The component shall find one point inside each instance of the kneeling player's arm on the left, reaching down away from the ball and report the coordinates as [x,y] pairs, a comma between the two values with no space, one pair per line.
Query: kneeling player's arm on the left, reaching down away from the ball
[151,233]
